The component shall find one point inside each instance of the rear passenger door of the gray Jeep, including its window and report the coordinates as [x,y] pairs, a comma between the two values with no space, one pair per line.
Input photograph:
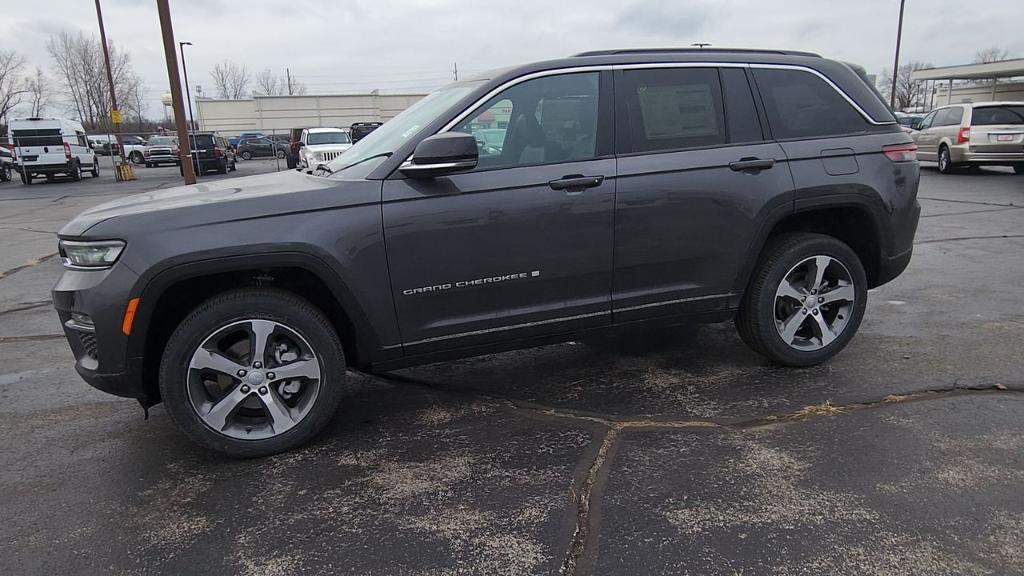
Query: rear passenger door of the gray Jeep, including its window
[697,176]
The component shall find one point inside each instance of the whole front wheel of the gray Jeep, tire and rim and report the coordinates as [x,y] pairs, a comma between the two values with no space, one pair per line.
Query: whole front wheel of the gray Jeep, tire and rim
[253,373]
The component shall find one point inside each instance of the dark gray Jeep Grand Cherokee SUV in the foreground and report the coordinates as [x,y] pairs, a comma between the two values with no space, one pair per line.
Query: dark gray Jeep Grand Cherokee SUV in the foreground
[613,189]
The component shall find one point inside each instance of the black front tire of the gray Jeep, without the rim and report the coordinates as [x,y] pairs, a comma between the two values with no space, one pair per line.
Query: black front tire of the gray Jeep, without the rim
[262,304]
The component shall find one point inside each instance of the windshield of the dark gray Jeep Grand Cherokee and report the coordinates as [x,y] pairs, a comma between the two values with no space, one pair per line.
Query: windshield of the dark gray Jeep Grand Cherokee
[397,132]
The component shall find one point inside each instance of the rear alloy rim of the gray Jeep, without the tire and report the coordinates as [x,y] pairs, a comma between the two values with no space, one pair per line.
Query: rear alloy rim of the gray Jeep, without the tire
[814,304]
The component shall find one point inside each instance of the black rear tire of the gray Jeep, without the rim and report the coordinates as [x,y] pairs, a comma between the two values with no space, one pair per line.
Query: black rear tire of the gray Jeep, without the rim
[756,321]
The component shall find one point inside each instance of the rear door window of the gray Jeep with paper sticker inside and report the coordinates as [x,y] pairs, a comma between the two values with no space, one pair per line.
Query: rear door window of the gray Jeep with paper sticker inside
[673,109]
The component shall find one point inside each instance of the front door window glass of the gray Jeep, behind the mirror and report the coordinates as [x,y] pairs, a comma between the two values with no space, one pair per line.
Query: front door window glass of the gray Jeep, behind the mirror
[542,121]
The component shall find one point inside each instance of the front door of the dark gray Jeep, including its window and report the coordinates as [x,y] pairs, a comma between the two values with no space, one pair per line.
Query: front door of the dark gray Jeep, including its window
[521,246]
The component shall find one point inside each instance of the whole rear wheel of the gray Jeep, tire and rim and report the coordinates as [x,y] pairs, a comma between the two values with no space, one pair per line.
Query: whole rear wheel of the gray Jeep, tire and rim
[805,302]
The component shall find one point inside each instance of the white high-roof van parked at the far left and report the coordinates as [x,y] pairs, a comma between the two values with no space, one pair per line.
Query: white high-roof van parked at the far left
[48,147]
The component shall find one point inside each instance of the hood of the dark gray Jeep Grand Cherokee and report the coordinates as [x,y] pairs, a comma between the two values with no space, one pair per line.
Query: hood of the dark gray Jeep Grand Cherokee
[201,195]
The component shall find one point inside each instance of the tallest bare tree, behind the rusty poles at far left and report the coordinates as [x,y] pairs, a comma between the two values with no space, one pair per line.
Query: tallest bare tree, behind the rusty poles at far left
[78,61]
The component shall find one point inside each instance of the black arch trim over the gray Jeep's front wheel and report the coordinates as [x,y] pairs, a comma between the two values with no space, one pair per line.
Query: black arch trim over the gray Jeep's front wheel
[156,281]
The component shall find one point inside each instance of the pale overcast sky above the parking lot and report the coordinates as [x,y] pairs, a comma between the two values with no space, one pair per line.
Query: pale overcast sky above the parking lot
[412,46]
